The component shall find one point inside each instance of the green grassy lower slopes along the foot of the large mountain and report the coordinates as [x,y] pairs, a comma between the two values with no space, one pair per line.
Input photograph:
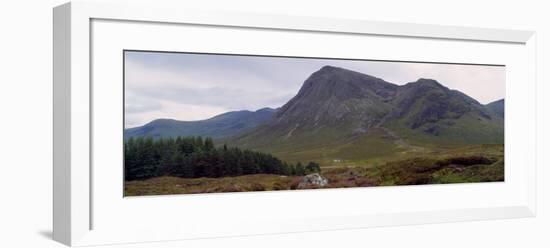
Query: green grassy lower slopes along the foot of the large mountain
[330,147]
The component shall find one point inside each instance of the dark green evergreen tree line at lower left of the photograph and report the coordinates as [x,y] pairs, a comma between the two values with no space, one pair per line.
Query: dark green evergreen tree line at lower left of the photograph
[193,157]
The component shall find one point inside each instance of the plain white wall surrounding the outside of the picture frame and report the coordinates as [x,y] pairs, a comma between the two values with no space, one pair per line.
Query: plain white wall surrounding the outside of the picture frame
[26,123]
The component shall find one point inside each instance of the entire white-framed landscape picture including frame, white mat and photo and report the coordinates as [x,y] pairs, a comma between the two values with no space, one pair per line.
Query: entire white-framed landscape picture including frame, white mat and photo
[223,124]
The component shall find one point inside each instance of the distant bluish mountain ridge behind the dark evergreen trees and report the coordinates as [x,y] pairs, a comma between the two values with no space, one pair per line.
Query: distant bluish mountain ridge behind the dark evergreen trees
[220,126]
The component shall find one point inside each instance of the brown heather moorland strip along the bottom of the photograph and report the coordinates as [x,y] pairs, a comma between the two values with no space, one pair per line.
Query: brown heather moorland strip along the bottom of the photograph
[482,163]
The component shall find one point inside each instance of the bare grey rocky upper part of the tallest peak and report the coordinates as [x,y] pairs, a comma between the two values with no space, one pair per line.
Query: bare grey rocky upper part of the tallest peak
[333,95]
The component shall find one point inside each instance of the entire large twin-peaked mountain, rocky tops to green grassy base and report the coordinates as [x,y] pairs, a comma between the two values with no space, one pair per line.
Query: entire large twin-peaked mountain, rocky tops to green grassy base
[339,113]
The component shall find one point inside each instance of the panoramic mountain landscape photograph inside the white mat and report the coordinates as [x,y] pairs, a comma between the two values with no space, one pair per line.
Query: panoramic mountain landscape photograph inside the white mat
[214,123]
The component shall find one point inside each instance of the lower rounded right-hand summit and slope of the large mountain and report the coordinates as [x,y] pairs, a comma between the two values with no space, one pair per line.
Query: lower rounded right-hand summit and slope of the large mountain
[432,113]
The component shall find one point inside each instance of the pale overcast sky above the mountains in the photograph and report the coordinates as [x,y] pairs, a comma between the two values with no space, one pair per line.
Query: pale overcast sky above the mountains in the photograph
[198,86]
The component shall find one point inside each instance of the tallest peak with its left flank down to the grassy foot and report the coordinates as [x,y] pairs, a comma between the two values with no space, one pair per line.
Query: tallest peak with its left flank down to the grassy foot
[333,104]
